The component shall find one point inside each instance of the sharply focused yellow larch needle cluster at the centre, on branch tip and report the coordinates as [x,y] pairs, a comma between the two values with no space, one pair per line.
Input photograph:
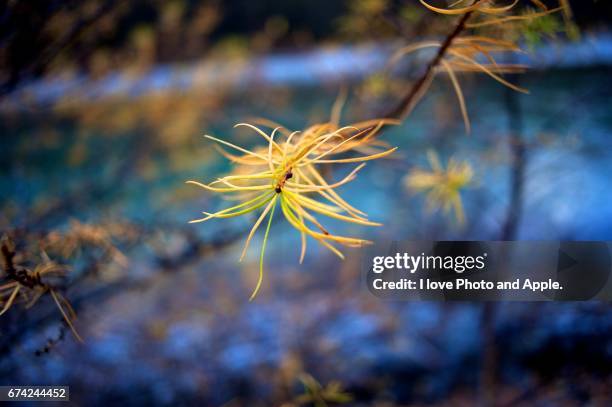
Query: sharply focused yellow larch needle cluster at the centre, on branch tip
[286,173]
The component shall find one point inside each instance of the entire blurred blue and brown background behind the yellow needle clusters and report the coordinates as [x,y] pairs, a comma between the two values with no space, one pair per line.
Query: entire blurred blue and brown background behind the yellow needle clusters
[102,108]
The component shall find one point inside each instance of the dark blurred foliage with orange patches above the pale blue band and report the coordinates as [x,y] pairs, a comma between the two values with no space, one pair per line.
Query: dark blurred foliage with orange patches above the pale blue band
[41,38]
